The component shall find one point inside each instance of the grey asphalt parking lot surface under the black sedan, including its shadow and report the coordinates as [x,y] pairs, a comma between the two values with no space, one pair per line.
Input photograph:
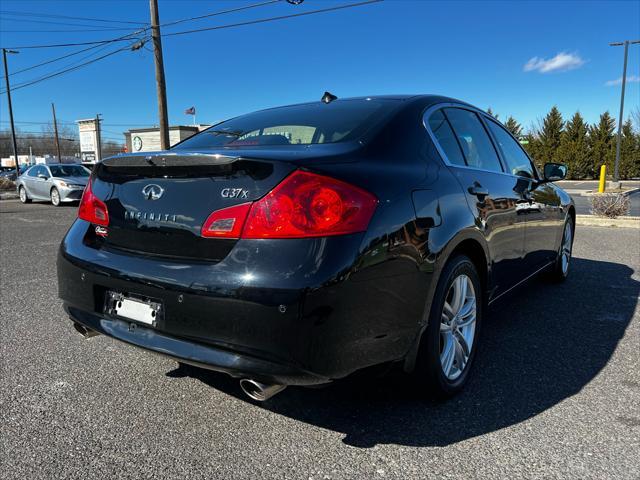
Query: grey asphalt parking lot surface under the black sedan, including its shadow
[556,390]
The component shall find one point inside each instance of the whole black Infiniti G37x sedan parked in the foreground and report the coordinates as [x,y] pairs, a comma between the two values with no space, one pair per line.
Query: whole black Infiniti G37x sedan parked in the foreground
[297,245]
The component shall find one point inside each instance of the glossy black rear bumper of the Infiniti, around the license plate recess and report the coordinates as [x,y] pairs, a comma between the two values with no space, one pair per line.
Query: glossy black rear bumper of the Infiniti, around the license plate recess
[293,312]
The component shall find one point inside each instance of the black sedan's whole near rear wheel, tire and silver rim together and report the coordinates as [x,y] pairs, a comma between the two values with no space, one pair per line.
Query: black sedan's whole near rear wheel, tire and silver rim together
[443,363]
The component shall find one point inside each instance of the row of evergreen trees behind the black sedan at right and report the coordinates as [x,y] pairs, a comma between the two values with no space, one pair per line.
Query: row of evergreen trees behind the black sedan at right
[579,145]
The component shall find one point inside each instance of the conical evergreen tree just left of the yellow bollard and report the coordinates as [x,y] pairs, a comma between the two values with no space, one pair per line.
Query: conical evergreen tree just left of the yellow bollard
[574,148]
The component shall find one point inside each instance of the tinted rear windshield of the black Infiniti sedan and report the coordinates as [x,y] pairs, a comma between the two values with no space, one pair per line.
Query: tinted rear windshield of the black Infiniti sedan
[338,121]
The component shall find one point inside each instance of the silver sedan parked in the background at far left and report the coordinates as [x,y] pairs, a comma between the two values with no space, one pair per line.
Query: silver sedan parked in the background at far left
[58,183]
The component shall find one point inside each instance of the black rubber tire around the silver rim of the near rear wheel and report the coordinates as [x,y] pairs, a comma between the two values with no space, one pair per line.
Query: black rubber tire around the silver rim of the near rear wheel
[429,374]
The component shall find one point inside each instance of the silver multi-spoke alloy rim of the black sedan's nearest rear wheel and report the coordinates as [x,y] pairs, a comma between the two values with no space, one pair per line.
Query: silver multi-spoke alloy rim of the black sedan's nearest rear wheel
[457,327]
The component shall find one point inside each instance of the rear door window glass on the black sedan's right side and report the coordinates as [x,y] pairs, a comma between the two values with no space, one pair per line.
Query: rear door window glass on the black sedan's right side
[474,140]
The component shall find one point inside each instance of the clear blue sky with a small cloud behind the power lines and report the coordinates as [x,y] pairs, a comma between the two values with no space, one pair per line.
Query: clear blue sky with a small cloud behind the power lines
[519,58]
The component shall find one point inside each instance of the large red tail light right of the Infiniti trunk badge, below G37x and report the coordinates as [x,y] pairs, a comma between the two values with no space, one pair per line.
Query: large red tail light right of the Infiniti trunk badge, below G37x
[303,205]
